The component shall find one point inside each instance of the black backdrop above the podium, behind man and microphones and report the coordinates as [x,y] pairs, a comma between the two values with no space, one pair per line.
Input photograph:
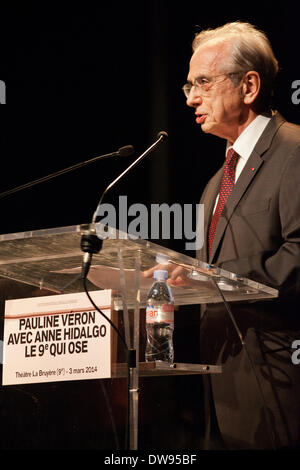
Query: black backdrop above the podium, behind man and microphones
[83,79]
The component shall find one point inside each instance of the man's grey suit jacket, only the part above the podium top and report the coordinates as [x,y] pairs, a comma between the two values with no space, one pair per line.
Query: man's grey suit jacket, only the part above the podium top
[258,234]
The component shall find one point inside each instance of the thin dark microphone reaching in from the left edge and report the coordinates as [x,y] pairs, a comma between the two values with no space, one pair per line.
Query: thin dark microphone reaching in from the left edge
[122,152]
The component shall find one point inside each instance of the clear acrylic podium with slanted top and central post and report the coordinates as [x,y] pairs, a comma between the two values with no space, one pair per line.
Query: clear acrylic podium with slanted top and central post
[50,261]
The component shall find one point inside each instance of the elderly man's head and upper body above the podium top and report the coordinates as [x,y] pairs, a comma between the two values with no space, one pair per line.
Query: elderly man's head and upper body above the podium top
[257,232]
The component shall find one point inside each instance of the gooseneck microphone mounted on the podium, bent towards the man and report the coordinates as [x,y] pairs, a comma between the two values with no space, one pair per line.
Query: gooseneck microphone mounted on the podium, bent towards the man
[90,243]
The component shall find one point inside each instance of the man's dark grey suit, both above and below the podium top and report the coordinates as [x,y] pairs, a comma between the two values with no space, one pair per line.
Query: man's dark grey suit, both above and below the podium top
[258,237]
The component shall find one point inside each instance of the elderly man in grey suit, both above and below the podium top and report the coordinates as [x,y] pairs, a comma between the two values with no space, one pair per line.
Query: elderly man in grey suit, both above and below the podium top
[252,228]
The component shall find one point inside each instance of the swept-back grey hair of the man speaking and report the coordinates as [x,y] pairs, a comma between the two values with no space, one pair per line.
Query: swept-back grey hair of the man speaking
[251,50]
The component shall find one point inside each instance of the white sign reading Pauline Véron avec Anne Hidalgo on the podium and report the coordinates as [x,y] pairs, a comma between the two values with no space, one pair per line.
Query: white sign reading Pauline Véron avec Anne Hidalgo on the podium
[57,338]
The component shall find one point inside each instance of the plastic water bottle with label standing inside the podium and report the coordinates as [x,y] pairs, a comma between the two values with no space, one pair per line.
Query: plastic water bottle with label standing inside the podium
[160,320]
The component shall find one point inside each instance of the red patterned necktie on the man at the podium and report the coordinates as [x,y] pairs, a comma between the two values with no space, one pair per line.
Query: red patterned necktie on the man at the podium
[225,189]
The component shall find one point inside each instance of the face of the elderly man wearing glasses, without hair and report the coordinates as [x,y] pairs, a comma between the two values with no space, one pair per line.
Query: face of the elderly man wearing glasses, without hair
[220,110]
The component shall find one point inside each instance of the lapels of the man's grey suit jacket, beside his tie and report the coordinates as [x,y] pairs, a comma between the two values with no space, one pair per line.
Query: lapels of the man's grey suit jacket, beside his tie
[249,172]
